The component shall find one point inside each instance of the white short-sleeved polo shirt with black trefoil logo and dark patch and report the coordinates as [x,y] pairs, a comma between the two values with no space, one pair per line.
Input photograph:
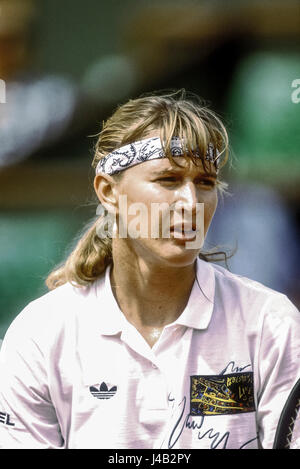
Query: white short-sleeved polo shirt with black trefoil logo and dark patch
[76,374]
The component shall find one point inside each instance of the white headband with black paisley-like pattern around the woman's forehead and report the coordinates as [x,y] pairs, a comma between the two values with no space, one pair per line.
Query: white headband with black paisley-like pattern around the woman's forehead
[146,150]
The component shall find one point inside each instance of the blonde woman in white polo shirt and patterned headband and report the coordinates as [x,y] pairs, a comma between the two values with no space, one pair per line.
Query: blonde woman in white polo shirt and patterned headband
[142,343]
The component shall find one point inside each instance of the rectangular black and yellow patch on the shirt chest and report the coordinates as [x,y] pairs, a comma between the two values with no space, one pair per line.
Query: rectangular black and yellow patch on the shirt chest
[222,394]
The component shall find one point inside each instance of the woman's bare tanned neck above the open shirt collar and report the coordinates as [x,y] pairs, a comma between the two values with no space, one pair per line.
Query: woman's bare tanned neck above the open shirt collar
[150,295]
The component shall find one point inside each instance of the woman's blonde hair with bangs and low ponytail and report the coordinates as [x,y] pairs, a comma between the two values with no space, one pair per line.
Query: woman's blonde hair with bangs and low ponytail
[173,114]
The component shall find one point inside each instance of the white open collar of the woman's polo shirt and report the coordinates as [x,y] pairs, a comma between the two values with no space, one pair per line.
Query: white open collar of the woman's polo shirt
[197,313]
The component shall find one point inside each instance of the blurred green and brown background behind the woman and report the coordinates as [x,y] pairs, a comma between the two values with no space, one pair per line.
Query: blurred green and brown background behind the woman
[67,65]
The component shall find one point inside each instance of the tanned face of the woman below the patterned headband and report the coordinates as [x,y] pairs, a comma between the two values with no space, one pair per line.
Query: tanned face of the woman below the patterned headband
[163,182]
